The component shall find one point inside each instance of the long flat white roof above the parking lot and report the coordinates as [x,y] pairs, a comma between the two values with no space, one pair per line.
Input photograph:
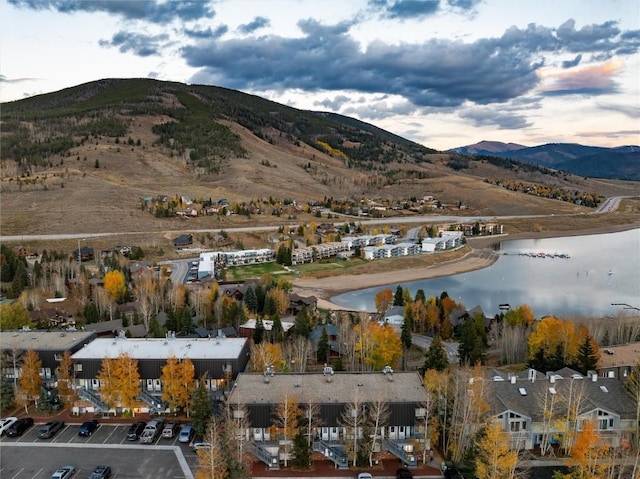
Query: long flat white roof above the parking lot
[162,348]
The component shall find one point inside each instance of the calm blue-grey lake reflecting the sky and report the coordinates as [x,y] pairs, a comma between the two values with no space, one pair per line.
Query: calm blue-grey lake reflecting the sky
[599,270]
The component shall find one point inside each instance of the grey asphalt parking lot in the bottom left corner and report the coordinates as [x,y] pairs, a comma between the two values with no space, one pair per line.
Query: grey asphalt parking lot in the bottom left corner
[30,457]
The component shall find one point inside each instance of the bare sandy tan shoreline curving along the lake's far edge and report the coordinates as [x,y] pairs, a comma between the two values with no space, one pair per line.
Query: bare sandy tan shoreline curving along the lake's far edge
[480,256]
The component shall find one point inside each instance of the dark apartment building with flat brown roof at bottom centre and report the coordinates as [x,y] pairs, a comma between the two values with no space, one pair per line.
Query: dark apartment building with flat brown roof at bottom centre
[335,396]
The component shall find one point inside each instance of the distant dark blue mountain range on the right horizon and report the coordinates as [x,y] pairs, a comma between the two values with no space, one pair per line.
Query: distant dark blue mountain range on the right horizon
[622,162]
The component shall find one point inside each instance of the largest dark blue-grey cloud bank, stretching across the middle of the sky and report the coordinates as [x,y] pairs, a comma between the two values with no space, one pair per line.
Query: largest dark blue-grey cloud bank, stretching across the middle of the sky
[434,73]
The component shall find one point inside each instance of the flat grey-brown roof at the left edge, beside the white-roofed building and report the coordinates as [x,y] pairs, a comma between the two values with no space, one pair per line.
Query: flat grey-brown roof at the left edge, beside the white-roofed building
[43,340]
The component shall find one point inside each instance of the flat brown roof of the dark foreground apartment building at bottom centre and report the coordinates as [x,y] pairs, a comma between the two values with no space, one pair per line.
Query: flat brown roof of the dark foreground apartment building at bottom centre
[335,388]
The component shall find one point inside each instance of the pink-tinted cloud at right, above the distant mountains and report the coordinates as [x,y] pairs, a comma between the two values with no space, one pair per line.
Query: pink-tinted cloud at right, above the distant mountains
[592,80]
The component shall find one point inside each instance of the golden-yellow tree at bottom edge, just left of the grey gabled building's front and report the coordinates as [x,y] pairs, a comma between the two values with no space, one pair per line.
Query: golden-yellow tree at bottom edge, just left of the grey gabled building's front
[495,459]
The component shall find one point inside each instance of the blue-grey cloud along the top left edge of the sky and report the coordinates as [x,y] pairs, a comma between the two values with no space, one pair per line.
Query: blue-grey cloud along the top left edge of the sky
[148,10]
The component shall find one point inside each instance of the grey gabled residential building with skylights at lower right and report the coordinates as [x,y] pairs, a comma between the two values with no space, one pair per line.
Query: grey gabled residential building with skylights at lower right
[533,408]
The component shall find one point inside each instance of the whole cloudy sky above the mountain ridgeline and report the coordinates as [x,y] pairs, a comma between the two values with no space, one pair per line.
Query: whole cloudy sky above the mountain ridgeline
[444,73]
